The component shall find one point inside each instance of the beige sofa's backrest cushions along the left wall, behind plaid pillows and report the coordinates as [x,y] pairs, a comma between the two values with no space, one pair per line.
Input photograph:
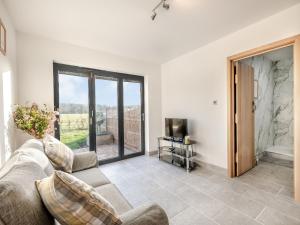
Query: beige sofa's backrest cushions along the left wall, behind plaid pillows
[20,202]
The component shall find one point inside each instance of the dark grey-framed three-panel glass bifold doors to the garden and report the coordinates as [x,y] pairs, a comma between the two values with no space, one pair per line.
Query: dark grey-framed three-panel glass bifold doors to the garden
[100,111]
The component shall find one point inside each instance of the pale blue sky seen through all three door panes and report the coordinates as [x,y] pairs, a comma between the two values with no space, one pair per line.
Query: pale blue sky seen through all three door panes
[74,89]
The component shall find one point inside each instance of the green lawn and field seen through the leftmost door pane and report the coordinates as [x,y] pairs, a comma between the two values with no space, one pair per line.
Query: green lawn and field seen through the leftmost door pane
[74,130]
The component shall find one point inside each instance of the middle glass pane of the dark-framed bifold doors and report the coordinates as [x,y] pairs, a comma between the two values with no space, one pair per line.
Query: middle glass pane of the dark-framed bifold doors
[107,138]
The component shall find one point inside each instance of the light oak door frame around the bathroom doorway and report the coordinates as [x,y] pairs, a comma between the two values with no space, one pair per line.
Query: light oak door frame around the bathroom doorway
[292,41]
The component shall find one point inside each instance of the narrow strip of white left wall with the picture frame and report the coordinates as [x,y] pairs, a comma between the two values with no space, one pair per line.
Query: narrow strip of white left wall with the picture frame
[7,87]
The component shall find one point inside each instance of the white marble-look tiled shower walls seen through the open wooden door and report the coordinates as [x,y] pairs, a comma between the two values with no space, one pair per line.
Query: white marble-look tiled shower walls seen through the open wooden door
[273,74]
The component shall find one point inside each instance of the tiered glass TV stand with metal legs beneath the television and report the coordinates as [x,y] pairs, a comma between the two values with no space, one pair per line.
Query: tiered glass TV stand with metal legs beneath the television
[176,152]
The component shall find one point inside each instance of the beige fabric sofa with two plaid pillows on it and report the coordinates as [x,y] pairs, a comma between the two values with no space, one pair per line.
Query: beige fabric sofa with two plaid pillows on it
[20,202]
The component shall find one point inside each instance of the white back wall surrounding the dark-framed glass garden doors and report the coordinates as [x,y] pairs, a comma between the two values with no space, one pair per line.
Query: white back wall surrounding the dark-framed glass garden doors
[35,83]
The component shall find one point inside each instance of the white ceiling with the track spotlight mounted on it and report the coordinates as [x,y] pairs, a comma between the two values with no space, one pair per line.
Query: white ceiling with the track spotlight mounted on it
[124,27]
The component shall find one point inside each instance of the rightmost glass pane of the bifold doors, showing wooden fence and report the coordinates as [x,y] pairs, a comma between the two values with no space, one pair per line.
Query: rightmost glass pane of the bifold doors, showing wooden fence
[132,117]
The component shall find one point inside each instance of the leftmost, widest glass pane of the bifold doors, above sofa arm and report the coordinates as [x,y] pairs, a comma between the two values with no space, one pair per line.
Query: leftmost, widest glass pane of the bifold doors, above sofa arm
[74,111]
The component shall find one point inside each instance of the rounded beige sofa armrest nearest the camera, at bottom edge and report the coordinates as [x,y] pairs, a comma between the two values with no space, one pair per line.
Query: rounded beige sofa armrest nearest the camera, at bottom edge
[149,214]
